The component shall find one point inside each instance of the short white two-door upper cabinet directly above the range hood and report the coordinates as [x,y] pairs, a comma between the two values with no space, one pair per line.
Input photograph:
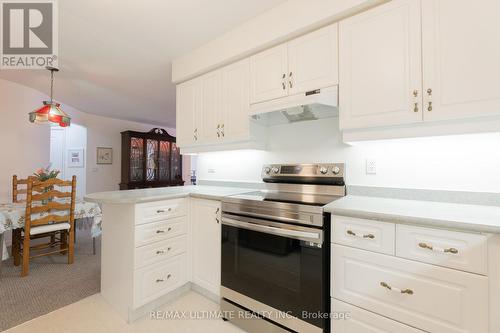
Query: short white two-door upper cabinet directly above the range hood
[306,63]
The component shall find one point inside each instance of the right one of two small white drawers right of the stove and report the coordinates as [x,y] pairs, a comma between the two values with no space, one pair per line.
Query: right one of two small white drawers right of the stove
[464,251]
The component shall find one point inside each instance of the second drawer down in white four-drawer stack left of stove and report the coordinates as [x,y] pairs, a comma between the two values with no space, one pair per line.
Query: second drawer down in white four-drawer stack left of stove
[154,232]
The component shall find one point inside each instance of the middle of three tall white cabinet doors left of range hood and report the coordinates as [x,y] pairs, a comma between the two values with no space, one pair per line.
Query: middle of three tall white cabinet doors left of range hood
[210,107]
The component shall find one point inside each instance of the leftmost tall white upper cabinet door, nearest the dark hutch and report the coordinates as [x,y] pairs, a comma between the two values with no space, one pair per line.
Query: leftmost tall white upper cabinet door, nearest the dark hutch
[188,110]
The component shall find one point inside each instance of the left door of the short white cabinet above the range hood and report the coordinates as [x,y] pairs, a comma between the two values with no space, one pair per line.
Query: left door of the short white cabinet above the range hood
[268,73]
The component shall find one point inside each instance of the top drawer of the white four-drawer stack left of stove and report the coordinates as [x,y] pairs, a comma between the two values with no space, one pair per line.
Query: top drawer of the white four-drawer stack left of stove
[160,210]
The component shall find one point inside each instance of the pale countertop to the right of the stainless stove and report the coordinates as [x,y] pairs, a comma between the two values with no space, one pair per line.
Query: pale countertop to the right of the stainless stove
[426,213]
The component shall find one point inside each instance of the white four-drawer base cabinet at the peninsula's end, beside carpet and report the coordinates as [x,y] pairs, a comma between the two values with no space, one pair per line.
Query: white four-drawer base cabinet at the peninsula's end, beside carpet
[145,257]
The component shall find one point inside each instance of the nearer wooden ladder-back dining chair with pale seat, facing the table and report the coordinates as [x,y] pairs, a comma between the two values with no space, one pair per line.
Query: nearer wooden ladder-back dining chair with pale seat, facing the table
[44,197]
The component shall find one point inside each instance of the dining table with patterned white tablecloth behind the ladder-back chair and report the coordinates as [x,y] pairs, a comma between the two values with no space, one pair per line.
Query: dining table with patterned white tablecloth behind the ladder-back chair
[12,216]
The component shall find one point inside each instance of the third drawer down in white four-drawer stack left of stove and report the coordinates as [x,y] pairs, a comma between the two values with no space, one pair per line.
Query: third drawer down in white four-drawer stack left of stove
[153,253]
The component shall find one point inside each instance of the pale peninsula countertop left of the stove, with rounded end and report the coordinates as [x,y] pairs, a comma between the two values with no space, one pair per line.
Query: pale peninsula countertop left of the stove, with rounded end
[164,193]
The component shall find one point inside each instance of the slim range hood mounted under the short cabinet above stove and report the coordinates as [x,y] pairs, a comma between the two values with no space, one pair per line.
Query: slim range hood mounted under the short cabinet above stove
[312,105]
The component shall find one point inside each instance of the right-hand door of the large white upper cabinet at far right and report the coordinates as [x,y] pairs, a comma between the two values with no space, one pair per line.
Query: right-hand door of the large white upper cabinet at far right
[461,52]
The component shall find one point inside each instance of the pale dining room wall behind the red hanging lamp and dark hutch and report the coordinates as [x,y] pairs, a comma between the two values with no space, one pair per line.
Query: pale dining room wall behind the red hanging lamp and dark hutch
[26,146]
